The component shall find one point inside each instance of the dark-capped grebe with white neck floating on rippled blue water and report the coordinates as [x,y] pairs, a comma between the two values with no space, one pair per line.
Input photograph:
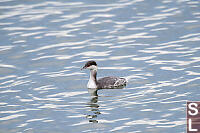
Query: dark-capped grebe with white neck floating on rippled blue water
[106,82]
